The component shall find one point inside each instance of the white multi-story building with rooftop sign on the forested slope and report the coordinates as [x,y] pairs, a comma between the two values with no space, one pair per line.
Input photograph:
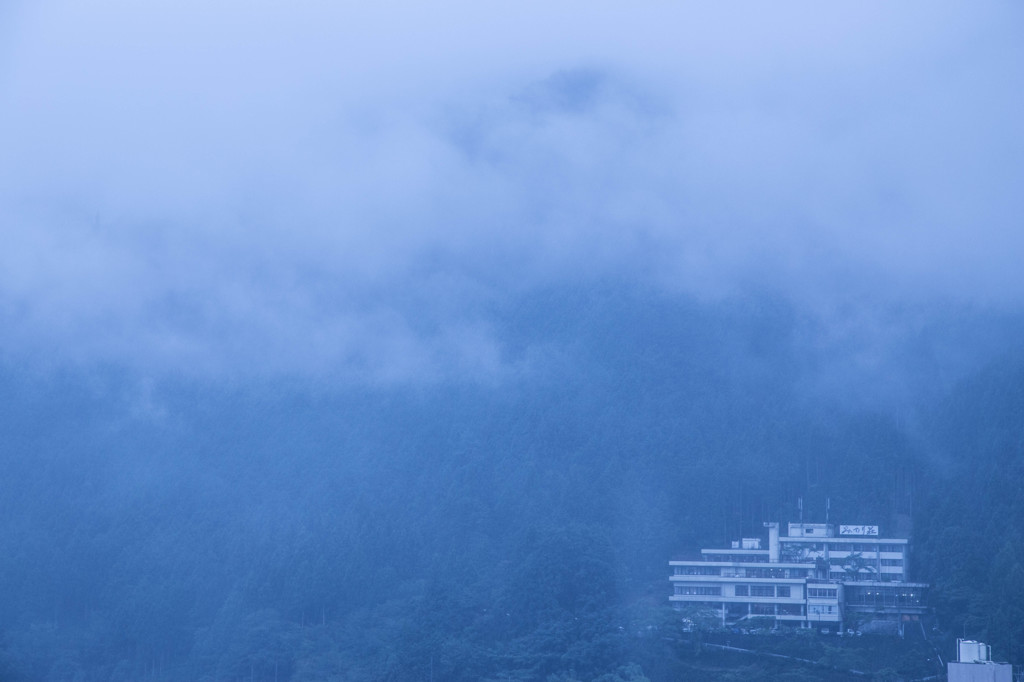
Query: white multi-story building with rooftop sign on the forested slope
[809,577]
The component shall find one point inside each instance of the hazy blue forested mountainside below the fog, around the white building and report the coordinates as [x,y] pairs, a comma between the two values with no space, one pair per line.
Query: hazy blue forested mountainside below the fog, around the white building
[516,529]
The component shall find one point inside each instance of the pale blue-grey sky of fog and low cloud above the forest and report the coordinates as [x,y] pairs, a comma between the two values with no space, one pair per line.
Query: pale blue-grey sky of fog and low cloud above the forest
[319,187]
